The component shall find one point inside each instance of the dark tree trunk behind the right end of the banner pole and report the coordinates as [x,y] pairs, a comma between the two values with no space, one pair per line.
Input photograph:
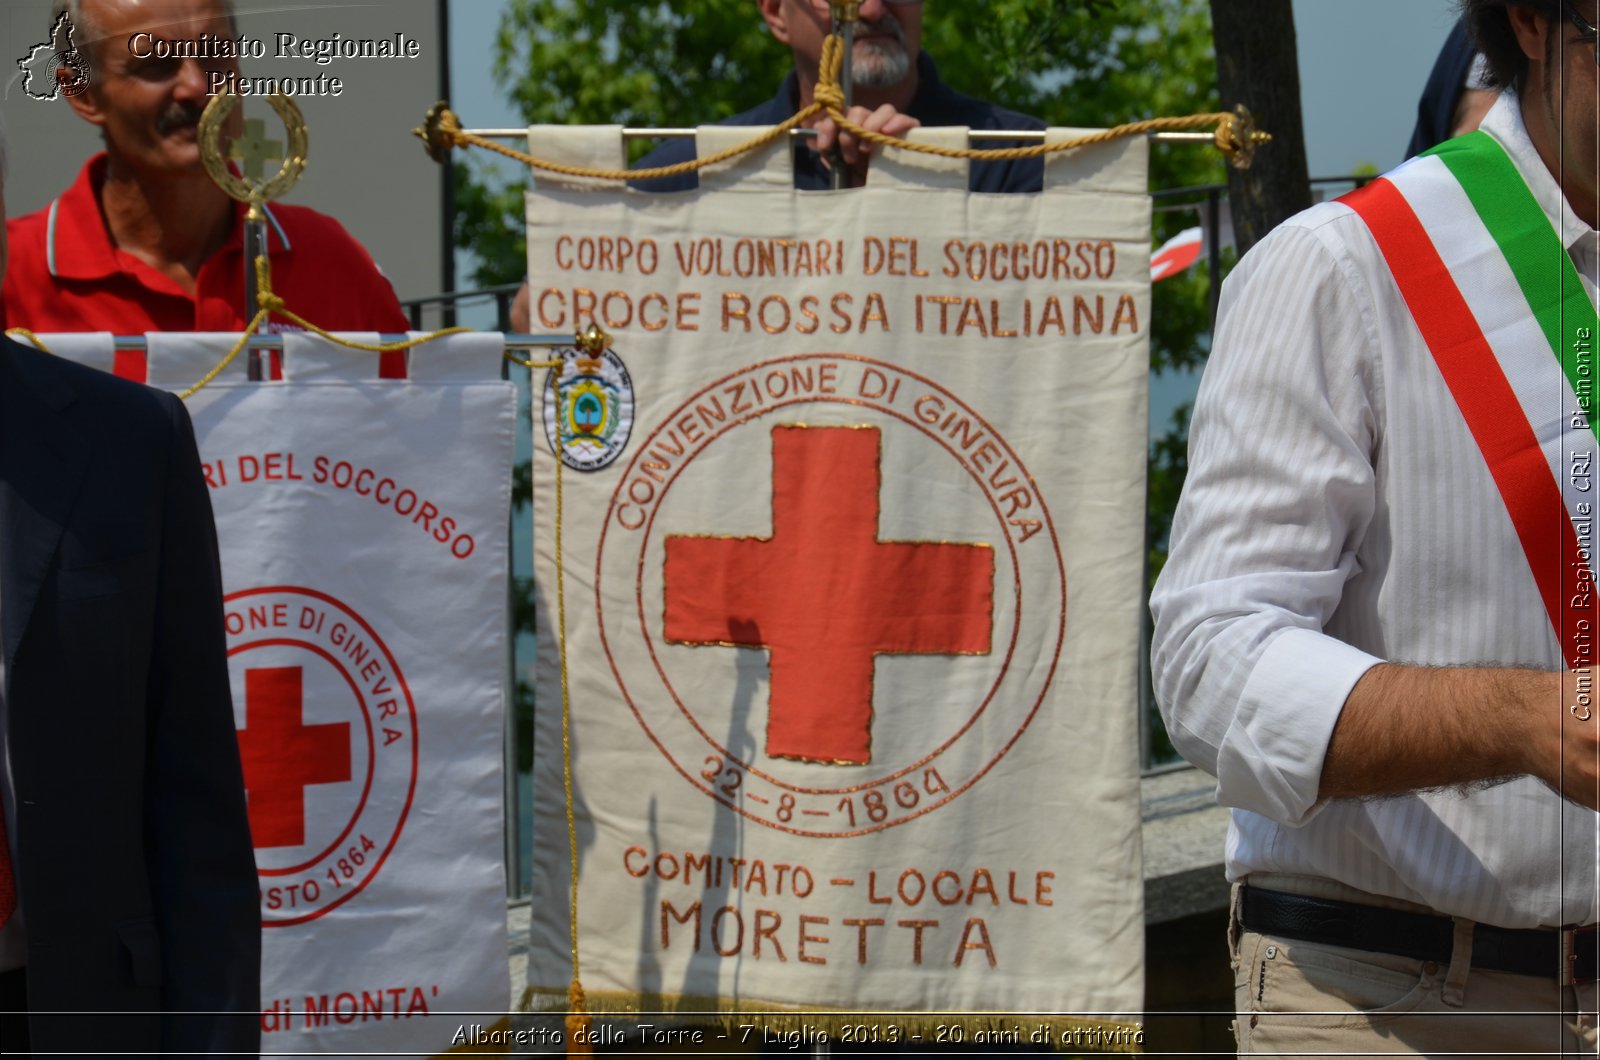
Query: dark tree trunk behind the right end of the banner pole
[1257,66]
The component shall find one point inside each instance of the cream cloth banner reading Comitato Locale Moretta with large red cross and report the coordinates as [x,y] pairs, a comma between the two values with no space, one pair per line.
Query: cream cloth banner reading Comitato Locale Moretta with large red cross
[854,600]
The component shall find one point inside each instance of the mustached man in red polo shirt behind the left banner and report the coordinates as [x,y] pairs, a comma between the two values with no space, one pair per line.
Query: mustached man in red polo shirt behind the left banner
[145,241]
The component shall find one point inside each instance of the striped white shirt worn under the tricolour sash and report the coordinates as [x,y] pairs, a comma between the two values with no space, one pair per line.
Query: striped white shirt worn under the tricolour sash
[1337,515]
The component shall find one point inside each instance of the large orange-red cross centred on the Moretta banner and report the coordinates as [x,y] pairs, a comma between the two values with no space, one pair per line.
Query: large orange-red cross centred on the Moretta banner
[825,596]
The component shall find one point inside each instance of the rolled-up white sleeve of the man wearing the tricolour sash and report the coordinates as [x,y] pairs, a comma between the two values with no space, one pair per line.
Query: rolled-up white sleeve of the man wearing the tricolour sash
[1278,502]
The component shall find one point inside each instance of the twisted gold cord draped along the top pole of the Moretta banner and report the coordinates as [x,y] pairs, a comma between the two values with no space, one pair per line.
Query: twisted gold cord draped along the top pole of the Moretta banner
[1234,135]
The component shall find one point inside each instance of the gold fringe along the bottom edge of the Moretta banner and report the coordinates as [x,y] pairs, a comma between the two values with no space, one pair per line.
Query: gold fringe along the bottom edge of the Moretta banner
[798,1027]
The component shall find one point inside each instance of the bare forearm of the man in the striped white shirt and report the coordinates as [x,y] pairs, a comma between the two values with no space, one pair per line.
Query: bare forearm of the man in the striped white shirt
[1415,728]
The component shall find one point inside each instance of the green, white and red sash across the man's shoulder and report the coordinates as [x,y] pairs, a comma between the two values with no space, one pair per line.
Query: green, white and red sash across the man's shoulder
[1500,305]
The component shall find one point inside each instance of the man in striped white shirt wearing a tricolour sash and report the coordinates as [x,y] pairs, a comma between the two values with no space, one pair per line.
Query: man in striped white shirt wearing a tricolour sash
[1380,609]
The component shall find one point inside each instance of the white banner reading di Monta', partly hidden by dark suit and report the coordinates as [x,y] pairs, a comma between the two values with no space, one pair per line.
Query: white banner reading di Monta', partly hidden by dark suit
[364,536]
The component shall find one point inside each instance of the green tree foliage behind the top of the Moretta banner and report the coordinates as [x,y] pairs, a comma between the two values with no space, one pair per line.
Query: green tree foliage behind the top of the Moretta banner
[646,63]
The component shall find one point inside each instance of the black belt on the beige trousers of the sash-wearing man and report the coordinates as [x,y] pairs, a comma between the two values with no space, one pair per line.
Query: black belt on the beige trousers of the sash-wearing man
[1572,955]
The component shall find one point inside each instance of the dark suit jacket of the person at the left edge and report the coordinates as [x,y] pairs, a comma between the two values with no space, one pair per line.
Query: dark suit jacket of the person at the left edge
[135,865]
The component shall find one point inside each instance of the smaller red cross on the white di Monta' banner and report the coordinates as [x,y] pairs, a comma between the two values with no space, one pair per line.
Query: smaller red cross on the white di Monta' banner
[282,757]
